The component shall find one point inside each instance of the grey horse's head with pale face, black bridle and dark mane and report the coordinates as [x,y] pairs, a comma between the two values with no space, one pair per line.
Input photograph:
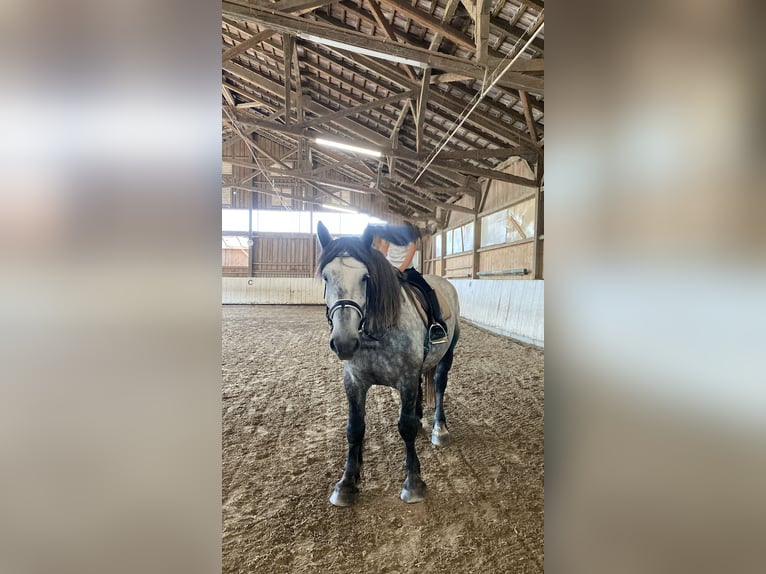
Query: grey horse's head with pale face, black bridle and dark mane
[362,291]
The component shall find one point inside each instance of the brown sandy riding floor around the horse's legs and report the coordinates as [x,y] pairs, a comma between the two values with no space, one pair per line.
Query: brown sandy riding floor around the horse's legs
[284,446]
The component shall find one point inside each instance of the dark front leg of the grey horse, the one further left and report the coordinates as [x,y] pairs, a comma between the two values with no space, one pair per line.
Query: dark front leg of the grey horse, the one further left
[347,489]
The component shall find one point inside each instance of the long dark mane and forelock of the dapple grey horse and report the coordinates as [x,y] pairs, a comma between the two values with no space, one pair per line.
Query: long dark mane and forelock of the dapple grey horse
[383,286]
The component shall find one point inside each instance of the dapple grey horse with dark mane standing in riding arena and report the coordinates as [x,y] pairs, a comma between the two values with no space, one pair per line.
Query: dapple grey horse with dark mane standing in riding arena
[376,330]
